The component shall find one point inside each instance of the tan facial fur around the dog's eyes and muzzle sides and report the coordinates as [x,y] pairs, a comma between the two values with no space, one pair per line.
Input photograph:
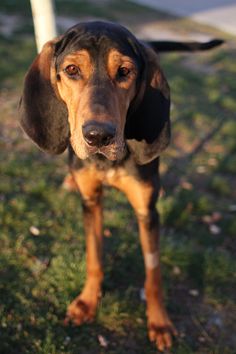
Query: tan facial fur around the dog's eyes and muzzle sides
[79,98]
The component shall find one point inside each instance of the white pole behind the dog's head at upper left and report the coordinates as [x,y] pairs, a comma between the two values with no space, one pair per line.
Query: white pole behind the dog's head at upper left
[44,21]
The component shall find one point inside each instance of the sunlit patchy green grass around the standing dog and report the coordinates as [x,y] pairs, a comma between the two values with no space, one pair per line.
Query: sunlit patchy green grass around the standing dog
[41,274]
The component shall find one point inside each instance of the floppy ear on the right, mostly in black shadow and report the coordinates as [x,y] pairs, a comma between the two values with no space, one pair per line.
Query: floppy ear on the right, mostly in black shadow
[148,127]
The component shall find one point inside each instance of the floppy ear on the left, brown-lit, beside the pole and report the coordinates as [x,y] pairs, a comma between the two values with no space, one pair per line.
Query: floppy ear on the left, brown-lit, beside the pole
[43,116]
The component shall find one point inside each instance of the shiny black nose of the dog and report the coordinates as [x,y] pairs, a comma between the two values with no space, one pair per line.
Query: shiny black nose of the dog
[98,134]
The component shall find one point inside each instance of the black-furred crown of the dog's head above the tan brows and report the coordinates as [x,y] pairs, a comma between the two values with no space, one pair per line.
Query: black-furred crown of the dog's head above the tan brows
[98,38]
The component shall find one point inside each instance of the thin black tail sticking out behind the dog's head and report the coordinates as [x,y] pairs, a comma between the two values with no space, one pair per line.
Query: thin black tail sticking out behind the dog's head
[171,46]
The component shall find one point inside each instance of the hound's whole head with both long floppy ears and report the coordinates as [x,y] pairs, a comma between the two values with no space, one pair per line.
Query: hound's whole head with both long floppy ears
[100,89]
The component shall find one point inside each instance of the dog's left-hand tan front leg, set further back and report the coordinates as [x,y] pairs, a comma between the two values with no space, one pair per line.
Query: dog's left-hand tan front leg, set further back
[83,308]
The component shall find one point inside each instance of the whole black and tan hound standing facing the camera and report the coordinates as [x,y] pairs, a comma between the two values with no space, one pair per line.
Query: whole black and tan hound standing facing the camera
[101,92]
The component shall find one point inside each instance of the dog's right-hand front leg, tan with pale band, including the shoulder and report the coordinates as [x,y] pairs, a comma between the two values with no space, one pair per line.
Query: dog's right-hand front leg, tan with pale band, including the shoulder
[142,196]
